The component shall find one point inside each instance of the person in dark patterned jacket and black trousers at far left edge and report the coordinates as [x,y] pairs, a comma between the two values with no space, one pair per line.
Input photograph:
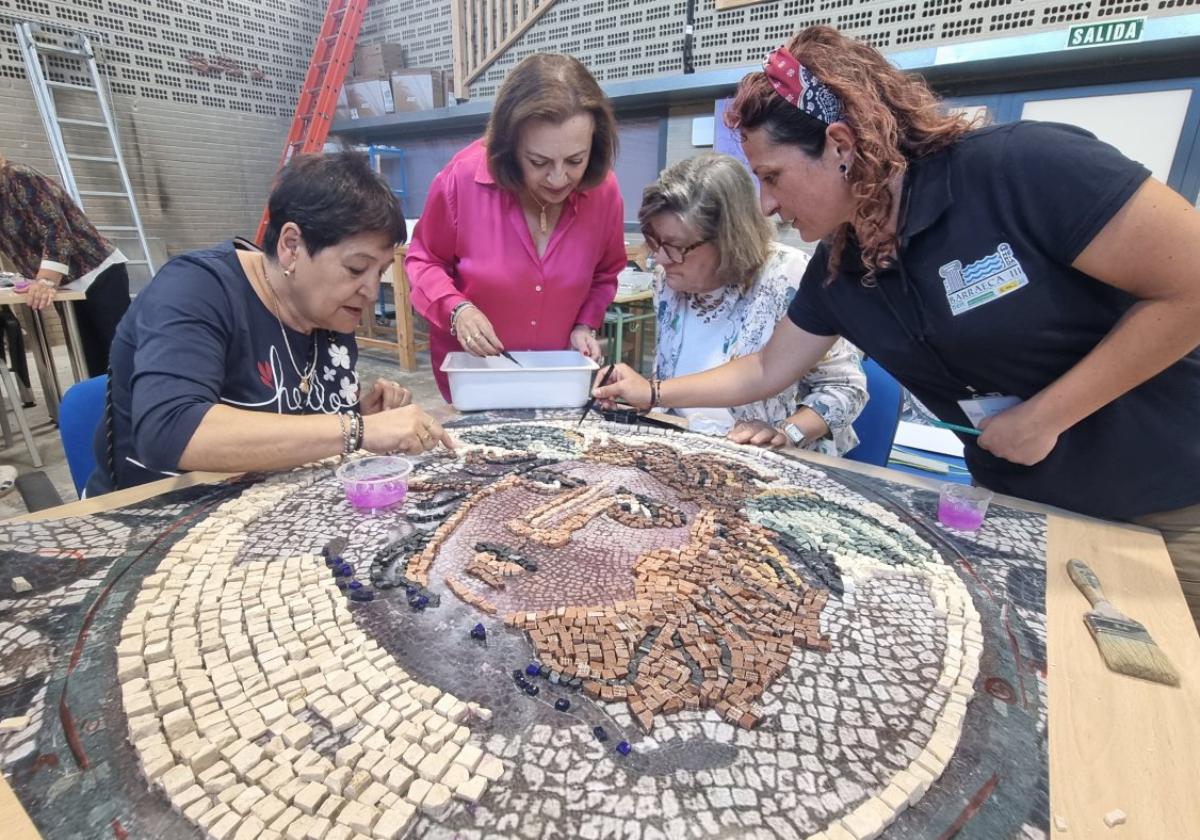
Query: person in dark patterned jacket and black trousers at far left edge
[50,241]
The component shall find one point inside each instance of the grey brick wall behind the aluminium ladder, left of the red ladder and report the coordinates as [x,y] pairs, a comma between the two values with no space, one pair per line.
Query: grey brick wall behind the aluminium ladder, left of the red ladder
[203,92]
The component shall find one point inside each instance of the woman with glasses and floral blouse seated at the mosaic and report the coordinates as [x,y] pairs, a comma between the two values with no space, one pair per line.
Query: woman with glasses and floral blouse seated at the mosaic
[721,286]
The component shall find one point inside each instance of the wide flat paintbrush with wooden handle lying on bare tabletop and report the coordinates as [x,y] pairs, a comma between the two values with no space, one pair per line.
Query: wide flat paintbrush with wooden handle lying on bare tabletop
[1125,645]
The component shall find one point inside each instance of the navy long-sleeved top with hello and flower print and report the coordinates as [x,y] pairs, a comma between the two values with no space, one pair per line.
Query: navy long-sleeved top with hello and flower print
[200,335]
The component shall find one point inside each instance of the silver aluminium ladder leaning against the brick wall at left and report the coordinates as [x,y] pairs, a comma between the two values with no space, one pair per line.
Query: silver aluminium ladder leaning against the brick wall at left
[64,62]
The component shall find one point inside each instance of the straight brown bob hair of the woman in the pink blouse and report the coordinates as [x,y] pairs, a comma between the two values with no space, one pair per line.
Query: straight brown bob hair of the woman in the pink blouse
[554,88]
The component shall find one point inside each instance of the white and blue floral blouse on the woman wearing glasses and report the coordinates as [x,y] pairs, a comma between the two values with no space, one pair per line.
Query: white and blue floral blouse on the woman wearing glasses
[836,389]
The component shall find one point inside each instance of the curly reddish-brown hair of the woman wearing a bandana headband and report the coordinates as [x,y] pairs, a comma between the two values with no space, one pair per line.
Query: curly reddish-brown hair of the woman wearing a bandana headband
[896,118]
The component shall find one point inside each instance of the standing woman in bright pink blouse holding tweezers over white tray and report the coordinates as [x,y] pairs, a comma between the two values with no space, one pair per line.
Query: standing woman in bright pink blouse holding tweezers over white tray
[523,235]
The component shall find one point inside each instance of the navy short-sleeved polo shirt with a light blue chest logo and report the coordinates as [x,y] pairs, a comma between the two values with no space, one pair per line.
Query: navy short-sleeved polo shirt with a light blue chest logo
[985,301]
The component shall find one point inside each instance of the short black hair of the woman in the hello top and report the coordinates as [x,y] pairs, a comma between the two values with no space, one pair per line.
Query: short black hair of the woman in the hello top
[331,197]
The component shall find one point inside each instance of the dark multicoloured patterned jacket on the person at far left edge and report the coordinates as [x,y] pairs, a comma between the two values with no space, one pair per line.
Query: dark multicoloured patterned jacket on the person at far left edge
[41,227]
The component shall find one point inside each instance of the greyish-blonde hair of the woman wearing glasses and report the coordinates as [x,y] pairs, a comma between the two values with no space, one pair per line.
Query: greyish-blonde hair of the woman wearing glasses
[715,196]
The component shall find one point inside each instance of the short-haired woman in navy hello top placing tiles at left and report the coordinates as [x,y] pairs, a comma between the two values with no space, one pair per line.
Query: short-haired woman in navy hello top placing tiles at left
[236,359]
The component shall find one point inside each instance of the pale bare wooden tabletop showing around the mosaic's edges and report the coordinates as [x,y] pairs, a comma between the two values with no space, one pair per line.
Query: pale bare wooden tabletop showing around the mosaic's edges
[1115,742]
